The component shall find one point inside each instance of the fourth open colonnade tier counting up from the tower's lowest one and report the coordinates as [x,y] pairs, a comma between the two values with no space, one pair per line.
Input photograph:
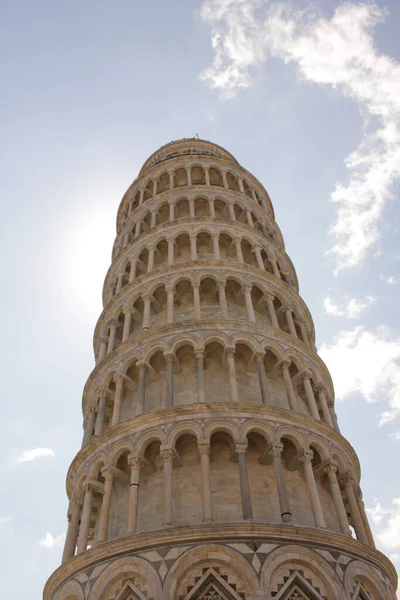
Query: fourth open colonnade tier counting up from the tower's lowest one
[179,244]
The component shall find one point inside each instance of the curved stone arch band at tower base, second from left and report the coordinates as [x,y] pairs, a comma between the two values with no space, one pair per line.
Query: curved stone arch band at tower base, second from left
[125,568]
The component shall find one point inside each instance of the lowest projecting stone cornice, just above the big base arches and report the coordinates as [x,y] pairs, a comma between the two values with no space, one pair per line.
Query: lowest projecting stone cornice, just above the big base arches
[220,533]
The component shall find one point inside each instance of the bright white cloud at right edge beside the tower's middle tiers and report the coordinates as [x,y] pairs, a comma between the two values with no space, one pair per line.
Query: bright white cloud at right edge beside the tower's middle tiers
[364,362]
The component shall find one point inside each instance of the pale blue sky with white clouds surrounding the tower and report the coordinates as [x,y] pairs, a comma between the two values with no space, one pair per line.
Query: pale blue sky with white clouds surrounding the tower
[306,95]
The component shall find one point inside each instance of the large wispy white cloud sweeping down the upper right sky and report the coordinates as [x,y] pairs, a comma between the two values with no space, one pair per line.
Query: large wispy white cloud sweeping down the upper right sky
[339,52]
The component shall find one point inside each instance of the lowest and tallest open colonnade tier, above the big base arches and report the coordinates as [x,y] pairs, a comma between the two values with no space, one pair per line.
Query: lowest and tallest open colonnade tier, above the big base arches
[276,472]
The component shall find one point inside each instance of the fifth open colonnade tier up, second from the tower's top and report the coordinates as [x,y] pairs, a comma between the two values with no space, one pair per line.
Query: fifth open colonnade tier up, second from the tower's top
[189,204]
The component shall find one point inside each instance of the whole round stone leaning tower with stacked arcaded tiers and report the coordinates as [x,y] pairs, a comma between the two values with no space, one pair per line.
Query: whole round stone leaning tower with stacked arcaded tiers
[212,466]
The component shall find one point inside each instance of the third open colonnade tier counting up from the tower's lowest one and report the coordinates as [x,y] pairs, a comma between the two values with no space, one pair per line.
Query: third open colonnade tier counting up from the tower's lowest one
[201,292]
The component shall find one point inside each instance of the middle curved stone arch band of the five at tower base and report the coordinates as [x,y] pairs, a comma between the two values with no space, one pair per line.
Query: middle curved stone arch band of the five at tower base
[208,555]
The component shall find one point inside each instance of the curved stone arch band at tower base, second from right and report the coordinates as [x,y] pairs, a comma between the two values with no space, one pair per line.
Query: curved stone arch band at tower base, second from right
[305,559]
